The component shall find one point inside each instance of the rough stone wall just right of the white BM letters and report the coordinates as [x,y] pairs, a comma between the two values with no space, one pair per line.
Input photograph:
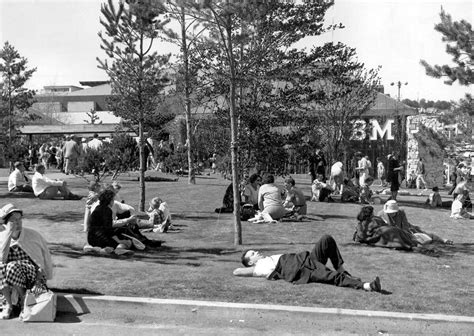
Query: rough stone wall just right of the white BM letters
[421,144]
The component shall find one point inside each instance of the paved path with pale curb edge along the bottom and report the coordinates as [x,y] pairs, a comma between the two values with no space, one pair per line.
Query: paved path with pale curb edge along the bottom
[108,315]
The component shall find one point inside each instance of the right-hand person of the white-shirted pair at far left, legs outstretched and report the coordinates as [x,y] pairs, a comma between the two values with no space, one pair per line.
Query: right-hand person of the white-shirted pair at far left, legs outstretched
[46,188]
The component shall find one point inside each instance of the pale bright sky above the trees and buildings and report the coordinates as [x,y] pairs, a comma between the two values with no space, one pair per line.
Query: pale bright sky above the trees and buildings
[59,38]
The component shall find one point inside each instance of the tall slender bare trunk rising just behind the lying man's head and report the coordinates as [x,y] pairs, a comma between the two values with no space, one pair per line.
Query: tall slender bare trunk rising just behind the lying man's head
[233,144]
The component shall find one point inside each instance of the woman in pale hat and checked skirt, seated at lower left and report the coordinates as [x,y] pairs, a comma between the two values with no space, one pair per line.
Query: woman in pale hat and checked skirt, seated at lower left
[25,259]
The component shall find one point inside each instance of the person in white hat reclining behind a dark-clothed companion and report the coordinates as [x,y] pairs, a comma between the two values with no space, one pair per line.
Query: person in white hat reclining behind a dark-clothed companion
[393,215]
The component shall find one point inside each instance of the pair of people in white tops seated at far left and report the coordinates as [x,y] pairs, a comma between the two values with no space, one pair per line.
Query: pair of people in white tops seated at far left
[40,185]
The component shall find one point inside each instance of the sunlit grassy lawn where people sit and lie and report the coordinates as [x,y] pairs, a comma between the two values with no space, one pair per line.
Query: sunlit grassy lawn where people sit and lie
[197,262]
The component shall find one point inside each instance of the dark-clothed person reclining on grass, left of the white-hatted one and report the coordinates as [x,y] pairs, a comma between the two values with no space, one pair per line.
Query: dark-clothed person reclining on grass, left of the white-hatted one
[372,230]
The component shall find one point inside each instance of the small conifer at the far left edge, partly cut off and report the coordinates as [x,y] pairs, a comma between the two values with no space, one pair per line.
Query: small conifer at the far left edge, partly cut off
[16,99]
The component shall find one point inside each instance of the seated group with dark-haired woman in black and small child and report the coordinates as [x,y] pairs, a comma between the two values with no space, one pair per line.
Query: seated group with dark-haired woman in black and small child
[115,227]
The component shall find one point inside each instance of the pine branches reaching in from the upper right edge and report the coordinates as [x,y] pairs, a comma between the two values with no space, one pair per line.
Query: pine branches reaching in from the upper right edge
[458,37]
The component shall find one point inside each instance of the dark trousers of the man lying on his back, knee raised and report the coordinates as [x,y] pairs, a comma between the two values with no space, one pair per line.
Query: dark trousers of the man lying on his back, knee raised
[324,249]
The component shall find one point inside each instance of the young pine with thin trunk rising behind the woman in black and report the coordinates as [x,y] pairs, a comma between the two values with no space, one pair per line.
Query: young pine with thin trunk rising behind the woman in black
[137,72]
